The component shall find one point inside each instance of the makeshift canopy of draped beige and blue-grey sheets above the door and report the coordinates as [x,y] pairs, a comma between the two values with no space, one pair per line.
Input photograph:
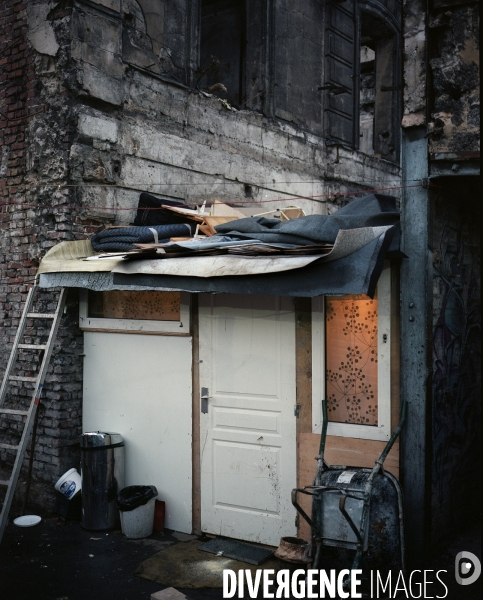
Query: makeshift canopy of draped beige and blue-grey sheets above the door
[361,234]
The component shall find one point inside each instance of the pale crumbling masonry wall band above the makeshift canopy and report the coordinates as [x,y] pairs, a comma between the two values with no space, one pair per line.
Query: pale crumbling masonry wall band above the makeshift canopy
[146,134]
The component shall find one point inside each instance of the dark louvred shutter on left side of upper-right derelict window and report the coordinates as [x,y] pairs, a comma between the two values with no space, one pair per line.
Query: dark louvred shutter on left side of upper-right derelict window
[339,84]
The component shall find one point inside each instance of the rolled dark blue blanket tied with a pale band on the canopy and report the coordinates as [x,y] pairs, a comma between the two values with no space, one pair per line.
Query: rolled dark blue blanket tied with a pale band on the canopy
[119,239]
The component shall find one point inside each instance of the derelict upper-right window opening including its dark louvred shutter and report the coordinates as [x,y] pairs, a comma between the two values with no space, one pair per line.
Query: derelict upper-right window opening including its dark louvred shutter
[362,79]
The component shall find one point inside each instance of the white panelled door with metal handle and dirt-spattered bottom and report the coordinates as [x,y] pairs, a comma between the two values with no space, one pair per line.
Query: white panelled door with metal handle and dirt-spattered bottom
[248,434]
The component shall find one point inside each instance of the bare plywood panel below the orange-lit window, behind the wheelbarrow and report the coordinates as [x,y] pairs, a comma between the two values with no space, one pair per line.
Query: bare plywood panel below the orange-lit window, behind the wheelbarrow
[338,451]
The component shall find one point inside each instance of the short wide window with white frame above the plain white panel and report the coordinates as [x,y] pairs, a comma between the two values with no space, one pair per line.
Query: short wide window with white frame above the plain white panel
[135,312]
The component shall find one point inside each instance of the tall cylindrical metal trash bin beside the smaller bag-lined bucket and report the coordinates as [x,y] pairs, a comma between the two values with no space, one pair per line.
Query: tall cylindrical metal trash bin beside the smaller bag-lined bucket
[102,472]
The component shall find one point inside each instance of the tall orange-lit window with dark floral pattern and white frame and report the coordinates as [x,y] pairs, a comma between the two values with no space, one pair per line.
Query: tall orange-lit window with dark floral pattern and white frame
[351,363]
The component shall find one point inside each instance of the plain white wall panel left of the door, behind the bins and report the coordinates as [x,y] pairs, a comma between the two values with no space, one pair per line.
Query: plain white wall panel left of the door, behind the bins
[140,386]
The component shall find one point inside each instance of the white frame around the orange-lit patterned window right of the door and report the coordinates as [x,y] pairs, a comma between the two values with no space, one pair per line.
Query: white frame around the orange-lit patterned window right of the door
[382,431]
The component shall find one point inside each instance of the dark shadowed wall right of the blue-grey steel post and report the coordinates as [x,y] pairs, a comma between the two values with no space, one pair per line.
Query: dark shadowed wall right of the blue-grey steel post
[456,379]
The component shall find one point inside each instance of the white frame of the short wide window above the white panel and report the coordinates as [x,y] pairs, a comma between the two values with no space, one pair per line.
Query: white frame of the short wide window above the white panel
[179,327]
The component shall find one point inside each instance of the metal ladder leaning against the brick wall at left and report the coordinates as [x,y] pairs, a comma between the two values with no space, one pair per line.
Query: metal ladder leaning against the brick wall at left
[38,380]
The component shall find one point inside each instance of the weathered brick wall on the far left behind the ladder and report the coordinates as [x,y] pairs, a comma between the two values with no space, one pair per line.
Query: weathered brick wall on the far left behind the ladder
[35,116]
